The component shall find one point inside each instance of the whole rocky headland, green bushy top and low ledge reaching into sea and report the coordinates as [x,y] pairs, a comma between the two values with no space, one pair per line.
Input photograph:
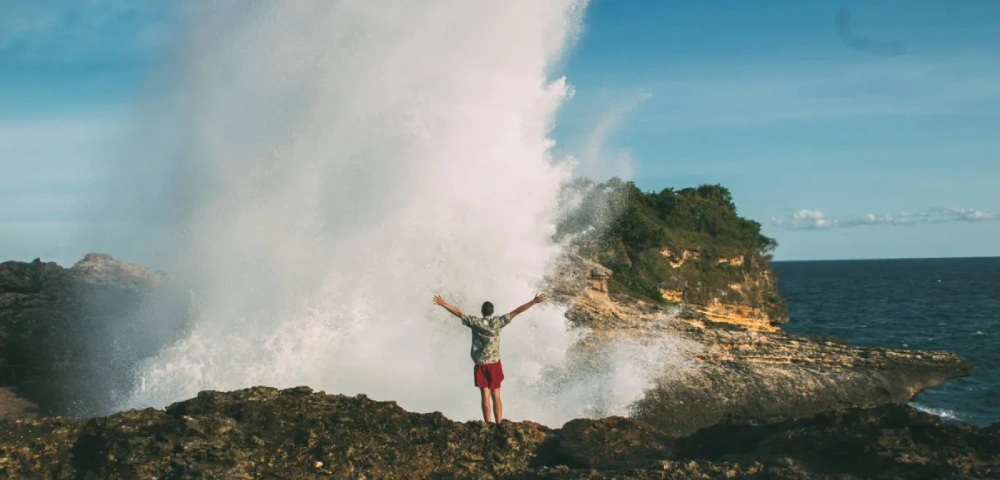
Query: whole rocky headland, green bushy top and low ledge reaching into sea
[683,268]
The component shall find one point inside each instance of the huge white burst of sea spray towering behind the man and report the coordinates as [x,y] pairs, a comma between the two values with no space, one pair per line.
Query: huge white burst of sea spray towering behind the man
[339,163]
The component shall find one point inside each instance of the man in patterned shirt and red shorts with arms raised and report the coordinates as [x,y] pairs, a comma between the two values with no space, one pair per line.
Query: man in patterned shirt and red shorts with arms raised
[488,371]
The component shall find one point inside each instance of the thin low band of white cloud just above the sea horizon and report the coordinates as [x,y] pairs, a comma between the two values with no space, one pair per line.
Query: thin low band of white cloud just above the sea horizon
[817,220]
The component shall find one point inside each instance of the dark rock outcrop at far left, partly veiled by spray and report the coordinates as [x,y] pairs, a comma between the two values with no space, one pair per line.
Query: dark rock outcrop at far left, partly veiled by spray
[69,337]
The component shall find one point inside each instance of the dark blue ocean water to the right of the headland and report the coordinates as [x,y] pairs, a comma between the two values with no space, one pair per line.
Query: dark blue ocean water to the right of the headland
[924,304]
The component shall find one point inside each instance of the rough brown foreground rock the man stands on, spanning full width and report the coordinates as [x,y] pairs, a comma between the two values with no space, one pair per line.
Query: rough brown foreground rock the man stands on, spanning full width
[296,433]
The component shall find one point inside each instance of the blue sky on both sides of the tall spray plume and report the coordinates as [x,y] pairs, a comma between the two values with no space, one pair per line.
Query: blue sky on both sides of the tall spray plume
[838,151]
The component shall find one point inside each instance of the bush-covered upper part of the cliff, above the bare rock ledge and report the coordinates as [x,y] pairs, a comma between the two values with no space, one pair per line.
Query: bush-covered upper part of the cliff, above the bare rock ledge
[689,241]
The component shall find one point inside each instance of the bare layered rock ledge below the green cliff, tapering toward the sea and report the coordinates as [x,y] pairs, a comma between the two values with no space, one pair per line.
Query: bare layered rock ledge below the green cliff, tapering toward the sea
[721,370]
